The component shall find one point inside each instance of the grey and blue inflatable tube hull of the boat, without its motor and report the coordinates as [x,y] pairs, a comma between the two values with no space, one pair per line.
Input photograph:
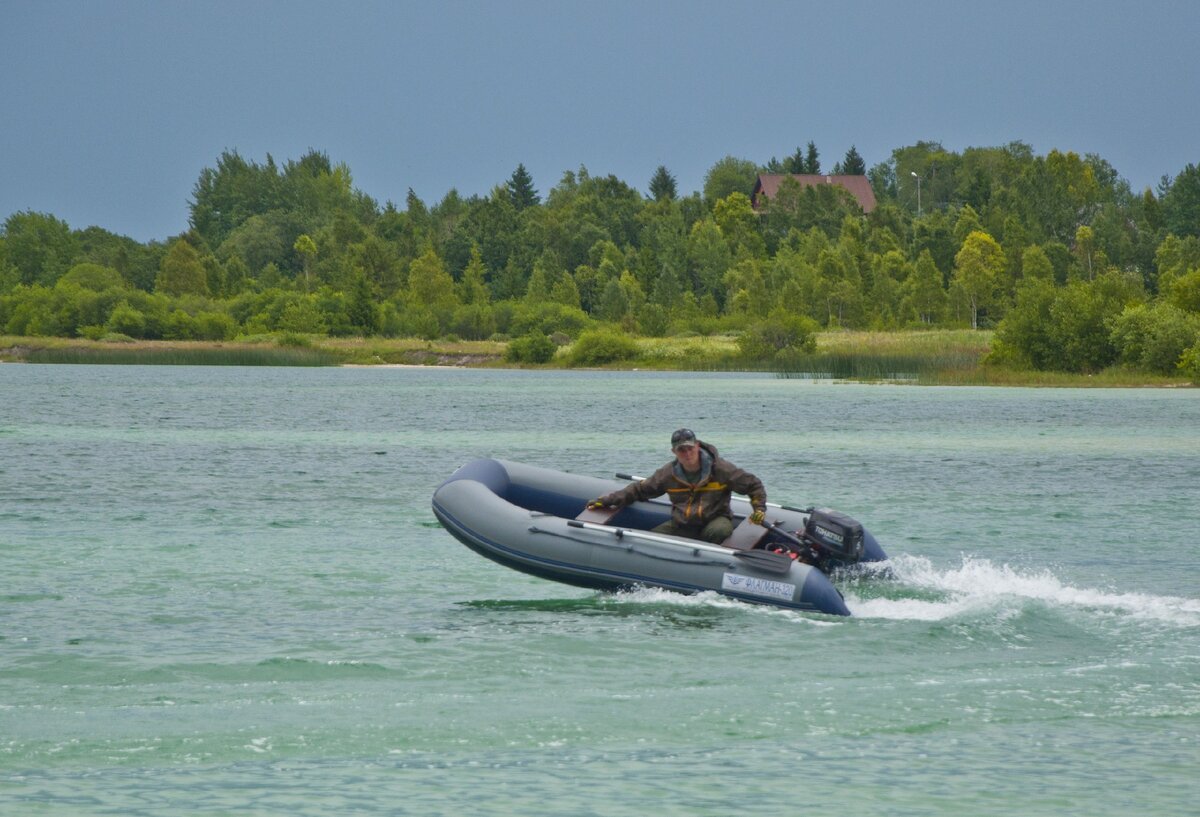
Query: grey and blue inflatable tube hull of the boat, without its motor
[523,518]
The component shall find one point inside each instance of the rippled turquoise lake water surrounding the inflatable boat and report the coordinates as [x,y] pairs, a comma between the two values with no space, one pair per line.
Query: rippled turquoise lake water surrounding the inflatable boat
[224,592]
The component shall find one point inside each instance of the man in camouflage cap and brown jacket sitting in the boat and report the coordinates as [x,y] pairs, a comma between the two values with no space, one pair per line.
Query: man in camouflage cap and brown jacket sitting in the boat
[699,484]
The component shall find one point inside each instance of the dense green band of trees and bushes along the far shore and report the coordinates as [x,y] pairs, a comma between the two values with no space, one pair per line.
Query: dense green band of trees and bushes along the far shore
[1073,269]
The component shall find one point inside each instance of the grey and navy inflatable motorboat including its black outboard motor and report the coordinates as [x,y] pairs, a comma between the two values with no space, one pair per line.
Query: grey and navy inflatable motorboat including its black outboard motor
[537,521]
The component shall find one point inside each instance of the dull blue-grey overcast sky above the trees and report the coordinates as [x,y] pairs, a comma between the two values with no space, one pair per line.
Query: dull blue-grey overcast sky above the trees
[111,110]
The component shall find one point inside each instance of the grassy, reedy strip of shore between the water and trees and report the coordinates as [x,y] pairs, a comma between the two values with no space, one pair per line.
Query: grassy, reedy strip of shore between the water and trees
[911,358]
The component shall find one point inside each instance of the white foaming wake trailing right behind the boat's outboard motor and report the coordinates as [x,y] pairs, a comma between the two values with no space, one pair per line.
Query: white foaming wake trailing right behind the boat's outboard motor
[980,586]
